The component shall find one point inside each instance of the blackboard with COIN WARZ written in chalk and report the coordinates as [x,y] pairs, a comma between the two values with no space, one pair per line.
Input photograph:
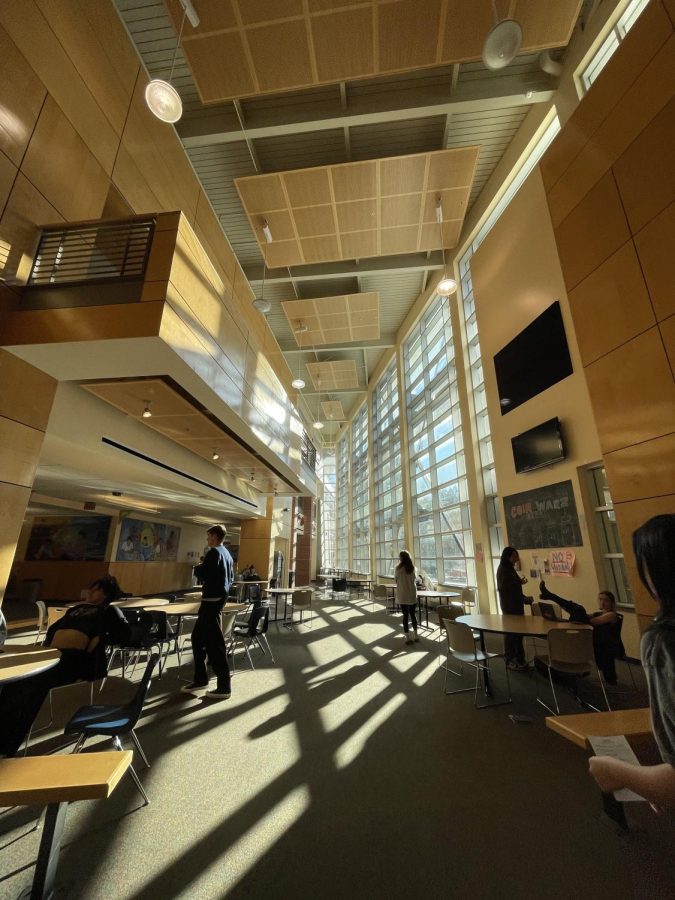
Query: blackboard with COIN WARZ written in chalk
[543,517]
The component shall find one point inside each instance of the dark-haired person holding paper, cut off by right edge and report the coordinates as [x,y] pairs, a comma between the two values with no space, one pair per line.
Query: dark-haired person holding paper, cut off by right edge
[654,549]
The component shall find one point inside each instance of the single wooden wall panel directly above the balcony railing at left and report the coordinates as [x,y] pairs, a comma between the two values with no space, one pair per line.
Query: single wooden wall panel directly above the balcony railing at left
[61,167]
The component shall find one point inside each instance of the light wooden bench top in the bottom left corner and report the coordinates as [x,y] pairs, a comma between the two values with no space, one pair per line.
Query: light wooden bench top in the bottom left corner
[56,779]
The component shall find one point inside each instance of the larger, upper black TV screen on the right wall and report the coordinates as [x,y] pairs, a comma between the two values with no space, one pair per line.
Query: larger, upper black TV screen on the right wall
[534,360]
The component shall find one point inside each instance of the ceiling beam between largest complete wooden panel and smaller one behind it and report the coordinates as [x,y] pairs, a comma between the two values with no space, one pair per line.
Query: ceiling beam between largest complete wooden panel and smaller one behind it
[376,265]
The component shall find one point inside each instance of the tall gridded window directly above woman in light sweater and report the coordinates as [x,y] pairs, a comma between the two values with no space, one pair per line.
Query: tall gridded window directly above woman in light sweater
[442,540]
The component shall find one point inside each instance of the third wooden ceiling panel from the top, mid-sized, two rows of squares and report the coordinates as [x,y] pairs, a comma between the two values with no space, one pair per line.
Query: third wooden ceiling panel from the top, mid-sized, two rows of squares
[334,320]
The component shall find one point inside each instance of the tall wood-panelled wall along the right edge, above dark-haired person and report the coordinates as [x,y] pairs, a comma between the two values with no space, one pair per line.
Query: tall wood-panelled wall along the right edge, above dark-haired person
[615,240]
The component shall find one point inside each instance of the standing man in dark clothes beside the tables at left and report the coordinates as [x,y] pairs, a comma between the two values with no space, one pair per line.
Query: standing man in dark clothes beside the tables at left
[216,574]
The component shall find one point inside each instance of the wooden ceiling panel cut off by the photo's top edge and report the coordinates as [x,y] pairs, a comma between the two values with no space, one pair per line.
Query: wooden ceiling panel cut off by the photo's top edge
[242,48]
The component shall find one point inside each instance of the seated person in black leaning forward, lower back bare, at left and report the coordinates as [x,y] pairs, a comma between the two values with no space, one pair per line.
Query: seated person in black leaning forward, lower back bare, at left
[81,636]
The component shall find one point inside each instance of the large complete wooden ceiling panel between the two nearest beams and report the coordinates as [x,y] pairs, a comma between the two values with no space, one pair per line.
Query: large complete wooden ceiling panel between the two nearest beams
[355,210]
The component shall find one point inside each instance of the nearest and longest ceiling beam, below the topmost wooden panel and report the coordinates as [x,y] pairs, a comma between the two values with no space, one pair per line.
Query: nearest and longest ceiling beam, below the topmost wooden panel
[220,125]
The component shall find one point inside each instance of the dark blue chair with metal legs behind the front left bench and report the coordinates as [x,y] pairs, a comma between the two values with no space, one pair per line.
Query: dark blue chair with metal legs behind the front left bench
[114,721]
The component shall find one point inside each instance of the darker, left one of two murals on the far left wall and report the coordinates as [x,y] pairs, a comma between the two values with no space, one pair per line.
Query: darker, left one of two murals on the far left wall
[69,538]
